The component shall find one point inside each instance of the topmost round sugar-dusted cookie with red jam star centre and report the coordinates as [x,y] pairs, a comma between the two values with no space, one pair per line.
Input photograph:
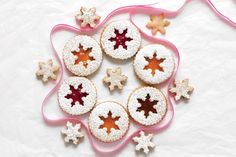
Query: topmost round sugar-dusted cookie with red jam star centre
[120,39]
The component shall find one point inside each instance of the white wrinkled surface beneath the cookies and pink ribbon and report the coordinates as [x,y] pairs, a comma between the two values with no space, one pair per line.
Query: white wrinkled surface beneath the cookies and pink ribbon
[205,126]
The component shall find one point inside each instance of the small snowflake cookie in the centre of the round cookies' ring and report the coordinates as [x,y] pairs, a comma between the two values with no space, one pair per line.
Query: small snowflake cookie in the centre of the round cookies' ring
[115,78]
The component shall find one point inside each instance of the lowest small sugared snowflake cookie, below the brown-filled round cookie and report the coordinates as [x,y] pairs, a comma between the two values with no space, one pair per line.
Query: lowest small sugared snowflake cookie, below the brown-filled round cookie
[144,142]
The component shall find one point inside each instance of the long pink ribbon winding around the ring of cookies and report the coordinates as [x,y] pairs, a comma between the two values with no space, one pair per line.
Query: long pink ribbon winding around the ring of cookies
[145,9]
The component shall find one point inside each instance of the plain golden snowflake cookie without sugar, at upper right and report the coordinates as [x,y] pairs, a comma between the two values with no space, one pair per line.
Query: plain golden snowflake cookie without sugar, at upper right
[157,23]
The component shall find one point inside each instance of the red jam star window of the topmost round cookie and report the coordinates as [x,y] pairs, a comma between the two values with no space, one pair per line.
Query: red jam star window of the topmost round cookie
[120,39]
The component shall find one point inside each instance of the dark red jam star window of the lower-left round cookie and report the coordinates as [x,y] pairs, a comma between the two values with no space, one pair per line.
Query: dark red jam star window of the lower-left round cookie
[76,95]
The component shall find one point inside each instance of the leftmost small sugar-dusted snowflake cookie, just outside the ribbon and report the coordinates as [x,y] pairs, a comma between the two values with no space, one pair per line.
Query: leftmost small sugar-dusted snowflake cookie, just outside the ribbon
[47,70]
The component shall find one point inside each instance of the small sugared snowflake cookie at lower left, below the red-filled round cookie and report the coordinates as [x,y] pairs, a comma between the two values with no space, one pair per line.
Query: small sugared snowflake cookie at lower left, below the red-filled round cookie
[72,133]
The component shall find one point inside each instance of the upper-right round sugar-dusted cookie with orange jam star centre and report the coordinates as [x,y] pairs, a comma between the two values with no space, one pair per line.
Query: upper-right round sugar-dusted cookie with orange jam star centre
[154,64]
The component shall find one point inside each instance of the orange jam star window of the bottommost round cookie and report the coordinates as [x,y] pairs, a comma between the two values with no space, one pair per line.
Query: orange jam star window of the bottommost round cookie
[109,122]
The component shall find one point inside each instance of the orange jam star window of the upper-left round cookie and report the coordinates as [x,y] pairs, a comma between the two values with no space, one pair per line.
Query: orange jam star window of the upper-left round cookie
[83,56]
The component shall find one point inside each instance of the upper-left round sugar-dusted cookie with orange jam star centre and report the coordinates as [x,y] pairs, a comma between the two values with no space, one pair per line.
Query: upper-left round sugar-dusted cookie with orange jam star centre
[82,55]
